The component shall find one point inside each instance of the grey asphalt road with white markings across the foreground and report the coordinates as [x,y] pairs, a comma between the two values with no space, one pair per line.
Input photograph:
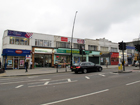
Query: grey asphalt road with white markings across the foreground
[96,88]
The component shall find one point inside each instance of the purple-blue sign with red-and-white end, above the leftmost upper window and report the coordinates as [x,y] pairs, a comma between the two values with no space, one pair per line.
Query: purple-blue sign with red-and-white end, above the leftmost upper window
[20,34]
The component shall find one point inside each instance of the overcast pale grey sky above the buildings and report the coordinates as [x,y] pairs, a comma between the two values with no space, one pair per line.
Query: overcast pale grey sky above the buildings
[115,20]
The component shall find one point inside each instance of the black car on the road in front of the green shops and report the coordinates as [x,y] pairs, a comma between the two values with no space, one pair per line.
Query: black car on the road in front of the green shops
[85,67]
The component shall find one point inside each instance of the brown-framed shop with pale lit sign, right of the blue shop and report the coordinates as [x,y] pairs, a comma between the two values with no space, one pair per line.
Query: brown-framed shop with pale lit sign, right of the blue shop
[42,57]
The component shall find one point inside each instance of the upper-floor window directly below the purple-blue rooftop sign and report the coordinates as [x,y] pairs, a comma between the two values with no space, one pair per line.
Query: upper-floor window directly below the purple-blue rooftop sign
[19,41]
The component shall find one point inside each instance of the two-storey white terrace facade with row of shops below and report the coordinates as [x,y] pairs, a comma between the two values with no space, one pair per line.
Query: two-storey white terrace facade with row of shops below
[45,50]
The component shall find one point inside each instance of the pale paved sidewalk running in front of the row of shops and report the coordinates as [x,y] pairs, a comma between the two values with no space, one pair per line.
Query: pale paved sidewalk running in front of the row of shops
[40,71]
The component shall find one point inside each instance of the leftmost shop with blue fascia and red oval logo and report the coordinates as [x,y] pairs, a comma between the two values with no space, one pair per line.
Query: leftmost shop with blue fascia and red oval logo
[14,58]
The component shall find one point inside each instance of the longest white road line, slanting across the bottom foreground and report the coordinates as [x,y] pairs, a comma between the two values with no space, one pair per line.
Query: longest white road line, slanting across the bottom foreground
[55,102]
